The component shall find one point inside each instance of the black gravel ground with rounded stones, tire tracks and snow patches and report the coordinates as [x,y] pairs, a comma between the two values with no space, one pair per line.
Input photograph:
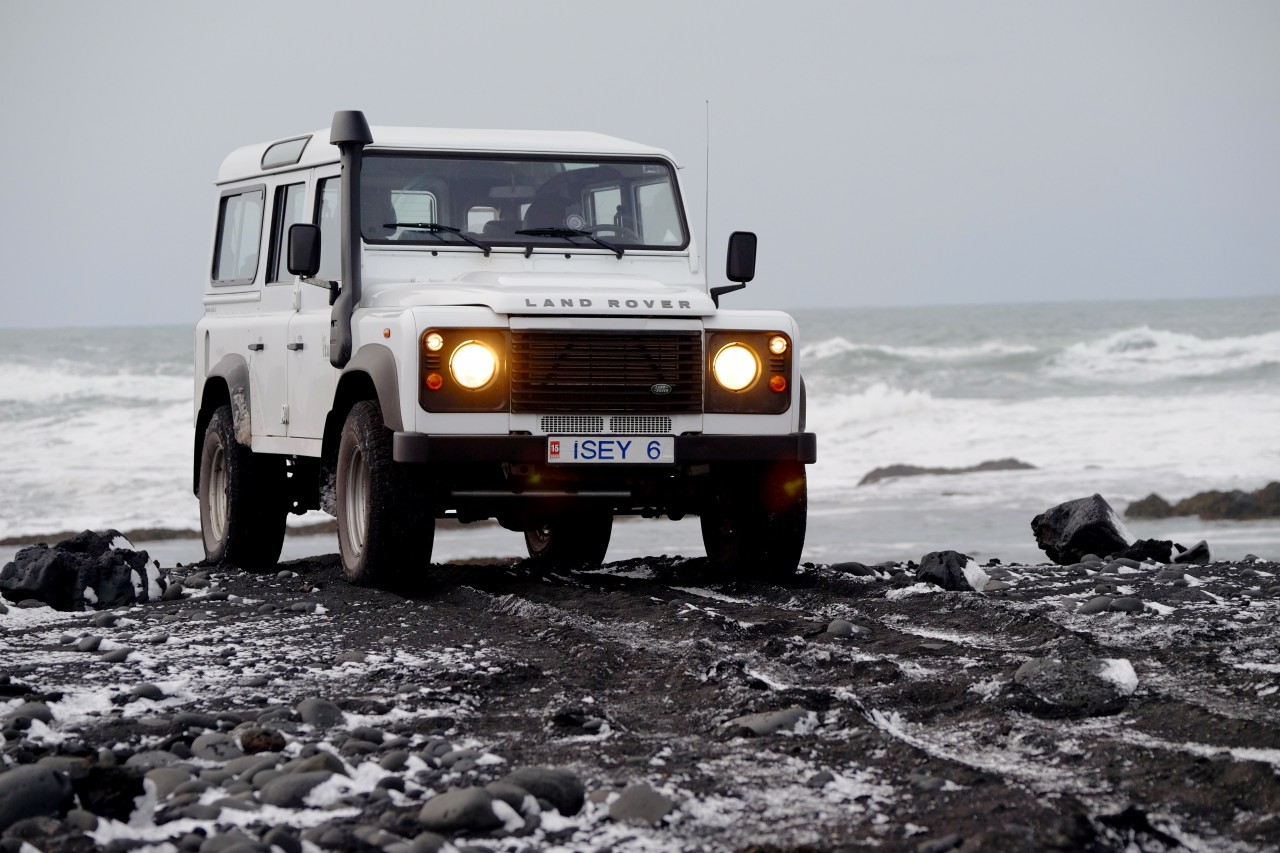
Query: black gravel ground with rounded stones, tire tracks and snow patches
[643,706]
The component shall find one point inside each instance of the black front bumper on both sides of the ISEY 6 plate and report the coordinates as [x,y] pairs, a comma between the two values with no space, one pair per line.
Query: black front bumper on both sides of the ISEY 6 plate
[418,448]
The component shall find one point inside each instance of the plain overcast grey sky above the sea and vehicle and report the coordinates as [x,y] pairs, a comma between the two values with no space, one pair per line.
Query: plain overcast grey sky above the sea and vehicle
[886,153]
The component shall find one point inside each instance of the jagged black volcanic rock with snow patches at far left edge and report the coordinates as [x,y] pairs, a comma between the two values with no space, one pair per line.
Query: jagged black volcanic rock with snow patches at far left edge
[61,576]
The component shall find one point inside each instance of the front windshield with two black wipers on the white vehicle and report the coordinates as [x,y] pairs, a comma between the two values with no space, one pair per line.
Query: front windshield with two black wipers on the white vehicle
[566,204]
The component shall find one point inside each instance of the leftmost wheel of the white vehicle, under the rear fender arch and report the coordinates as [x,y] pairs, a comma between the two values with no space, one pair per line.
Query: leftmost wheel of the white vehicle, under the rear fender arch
[243,504]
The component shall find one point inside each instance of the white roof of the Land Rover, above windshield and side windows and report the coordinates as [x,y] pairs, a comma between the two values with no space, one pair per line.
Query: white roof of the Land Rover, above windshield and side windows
[248,162]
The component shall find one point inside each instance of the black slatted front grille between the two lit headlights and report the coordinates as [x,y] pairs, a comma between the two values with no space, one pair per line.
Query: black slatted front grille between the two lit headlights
[611,372]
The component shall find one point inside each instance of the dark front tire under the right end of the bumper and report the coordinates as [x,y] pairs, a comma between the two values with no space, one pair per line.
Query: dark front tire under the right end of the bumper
[755,521]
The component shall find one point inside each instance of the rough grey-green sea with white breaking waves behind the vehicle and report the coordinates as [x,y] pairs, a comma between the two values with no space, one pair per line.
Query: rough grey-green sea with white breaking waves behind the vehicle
[1122,399]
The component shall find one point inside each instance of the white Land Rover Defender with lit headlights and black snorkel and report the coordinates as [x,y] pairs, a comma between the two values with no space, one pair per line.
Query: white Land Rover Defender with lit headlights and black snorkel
[409,325]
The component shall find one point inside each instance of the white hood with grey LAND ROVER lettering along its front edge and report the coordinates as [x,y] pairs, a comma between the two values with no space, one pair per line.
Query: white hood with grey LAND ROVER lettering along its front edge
[551,294]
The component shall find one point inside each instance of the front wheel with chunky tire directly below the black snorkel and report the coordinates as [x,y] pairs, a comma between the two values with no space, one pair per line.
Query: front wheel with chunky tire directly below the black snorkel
[385,526]
